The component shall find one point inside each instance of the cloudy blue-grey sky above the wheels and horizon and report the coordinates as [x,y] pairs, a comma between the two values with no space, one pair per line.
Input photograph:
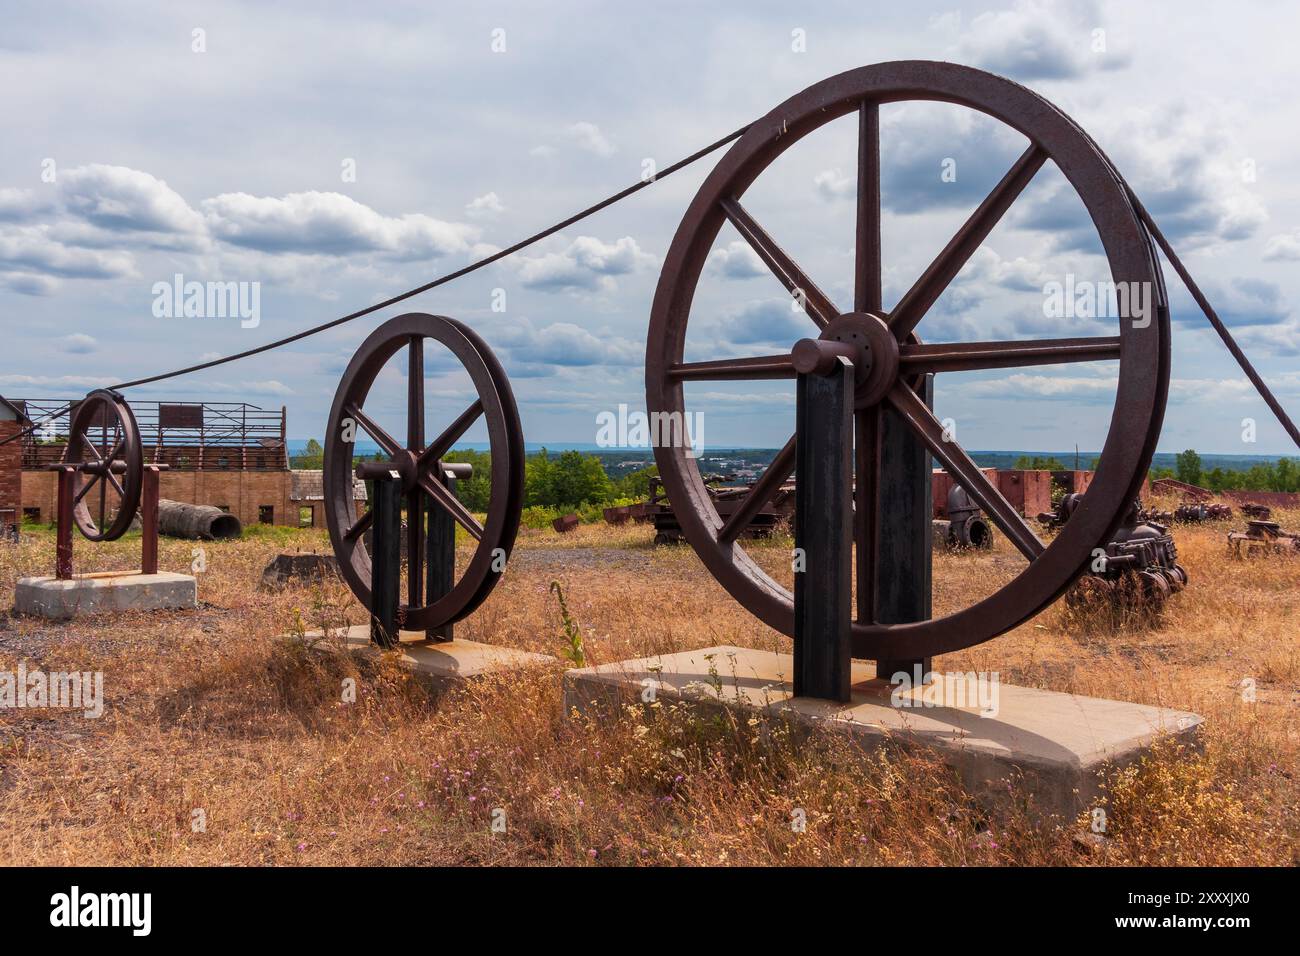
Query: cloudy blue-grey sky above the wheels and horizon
[333,155]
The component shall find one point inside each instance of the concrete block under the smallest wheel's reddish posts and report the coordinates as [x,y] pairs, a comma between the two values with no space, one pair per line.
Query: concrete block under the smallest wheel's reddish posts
[107,591]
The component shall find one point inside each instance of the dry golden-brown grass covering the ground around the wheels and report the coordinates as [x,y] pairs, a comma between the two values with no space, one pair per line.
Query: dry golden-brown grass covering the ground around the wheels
[216,712]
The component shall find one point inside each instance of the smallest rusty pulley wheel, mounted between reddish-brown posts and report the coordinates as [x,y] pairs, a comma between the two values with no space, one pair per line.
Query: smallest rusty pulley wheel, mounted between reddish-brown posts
[105,444]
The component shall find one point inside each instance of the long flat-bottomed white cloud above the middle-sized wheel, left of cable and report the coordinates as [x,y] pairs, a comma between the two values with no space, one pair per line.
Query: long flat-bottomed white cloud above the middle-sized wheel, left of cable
[330,224]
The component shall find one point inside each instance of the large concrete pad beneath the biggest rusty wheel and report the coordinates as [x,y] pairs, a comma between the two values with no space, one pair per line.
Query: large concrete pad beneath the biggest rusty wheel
[1054,743]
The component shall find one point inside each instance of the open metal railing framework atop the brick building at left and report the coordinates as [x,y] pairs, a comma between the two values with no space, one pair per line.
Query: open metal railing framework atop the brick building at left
[188,436]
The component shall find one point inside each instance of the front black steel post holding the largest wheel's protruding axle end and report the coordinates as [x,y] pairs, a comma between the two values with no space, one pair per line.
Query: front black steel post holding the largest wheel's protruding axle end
[824,533]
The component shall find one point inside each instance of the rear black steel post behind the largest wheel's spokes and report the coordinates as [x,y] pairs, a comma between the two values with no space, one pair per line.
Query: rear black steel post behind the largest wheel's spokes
[904,572]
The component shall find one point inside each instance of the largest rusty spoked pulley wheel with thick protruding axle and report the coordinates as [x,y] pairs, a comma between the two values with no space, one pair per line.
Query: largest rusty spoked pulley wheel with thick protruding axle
[891,356]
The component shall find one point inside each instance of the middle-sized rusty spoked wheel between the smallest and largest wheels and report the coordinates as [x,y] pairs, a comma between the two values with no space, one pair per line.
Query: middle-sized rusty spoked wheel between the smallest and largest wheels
[421,466]
